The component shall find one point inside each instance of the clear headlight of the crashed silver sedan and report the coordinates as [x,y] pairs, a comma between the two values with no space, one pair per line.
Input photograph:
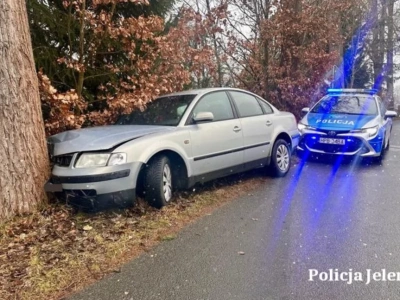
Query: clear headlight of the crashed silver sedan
[91,160]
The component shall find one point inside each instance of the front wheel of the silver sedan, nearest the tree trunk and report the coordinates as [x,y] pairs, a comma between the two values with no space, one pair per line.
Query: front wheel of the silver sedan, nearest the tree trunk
[158,186]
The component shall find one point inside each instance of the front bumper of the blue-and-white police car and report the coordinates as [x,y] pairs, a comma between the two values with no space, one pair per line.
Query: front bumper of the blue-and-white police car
[356,144]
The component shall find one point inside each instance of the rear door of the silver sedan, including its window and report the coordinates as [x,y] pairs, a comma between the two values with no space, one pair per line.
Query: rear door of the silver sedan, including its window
[257,126]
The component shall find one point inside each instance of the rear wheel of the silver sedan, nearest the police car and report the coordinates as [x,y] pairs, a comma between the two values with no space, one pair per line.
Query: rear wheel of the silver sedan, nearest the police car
[280,158]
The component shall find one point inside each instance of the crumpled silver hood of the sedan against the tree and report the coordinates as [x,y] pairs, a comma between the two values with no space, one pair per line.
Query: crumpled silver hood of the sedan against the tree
[99,138]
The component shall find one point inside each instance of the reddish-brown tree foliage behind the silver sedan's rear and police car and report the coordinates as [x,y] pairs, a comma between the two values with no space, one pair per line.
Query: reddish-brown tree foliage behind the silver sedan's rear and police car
[291,52]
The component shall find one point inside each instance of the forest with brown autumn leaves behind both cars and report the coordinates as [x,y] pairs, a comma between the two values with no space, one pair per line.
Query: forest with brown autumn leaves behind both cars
[98,59]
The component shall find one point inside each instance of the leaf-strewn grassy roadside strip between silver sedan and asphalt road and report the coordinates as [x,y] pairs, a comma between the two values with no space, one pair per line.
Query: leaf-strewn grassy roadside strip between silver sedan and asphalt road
[52,253]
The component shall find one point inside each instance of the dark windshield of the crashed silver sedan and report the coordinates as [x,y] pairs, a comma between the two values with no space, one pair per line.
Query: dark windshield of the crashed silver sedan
[162,111]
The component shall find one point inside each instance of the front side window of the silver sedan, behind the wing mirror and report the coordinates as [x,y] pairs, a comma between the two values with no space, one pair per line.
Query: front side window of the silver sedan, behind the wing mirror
[218,103]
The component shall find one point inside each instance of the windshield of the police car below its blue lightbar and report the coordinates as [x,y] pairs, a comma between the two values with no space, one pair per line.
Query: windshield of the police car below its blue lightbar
[346,104]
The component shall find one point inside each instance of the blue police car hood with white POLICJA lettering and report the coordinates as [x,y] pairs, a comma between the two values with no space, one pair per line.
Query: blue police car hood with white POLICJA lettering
[337,121]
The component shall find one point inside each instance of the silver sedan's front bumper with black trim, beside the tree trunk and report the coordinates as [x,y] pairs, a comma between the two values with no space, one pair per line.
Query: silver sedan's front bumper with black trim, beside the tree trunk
[95,186]
